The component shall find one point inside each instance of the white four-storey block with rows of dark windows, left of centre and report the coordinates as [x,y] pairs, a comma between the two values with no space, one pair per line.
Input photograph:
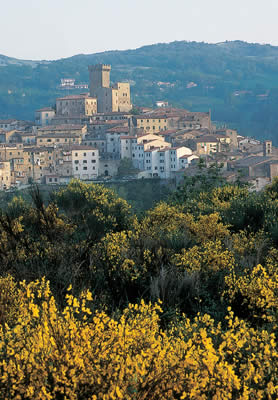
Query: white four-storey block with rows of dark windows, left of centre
[85,162]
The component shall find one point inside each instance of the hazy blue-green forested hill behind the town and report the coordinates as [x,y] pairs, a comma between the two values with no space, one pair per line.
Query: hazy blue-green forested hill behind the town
[238,81]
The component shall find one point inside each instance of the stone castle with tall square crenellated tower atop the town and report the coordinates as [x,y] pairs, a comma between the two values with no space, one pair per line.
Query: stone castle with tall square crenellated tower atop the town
[114,98]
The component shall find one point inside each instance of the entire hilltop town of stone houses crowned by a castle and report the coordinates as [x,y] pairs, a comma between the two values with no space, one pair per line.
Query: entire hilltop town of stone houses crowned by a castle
[100,135]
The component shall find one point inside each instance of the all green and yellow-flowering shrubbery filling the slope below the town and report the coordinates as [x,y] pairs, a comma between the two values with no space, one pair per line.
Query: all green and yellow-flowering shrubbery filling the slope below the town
[178,303]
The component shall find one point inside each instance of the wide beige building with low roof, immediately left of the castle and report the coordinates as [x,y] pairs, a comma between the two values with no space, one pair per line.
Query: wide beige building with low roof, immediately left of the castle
[76,105]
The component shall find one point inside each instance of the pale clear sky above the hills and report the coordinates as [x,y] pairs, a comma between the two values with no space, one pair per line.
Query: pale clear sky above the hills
[53,29]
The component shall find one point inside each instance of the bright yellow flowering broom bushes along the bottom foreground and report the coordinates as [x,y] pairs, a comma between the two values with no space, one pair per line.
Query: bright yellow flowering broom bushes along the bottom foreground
[74,354]
